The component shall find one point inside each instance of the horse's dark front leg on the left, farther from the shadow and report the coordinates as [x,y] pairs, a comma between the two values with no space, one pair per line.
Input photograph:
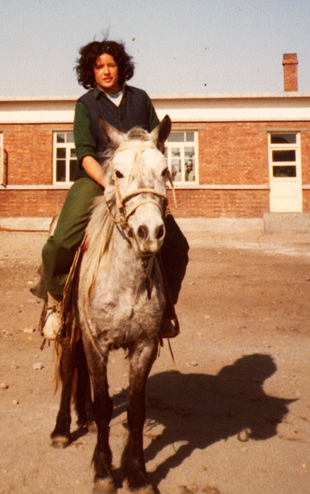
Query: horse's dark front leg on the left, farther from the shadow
[102,408]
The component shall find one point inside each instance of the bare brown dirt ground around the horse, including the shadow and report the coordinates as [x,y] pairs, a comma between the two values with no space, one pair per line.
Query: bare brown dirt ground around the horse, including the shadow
[232,418]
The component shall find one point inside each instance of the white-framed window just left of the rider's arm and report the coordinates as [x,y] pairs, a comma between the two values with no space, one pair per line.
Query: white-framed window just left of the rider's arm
[64,157]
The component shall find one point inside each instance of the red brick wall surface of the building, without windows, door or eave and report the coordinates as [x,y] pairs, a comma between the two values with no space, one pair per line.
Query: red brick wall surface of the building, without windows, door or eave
[230,153]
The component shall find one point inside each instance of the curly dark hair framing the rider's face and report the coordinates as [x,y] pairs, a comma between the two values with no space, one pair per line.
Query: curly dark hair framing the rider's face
[89,54]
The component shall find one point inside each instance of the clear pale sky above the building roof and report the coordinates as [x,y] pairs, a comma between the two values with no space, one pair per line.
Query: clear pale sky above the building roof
[192,46]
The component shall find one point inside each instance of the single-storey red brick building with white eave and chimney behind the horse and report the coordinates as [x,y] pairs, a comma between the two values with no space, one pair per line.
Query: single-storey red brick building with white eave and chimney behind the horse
[232,155]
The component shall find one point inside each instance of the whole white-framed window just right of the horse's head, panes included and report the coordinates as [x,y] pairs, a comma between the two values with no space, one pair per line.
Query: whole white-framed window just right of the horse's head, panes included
[181,152]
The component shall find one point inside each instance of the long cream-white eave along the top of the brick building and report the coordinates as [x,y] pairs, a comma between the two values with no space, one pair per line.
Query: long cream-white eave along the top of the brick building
[193,108]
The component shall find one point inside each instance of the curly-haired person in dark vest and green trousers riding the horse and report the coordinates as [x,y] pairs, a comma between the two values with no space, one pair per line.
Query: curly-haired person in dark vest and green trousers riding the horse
[103,68]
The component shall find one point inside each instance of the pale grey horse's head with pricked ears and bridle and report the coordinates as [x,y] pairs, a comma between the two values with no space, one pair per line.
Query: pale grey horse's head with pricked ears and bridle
[136,177]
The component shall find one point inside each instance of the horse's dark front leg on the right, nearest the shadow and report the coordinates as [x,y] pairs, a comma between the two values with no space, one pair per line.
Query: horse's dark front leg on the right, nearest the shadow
[133,463]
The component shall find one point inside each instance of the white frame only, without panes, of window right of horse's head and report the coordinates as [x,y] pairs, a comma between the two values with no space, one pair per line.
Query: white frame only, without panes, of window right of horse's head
[183,144]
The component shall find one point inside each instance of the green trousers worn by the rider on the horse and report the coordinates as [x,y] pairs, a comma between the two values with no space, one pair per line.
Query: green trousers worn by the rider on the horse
[60,248]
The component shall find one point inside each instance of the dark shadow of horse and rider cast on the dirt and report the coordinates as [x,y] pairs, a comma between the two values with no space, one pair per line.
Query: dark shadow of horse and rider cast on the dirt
[198,410]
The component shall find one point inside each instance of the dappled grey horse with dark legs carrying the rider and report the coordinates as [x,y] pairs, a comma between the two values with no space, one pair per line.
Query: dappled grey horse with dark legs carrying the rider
[116,300]
